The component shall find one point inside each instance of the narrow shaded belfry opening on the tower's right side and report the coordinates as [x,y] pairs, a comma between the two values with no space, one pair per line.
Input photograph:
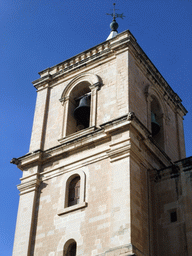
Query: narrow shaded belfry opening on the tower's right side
[157,122]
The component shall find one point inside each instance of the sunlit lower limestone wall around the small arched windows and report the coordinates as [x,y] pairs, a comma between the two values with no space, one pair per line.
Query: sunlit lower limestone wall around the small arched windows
[103,224]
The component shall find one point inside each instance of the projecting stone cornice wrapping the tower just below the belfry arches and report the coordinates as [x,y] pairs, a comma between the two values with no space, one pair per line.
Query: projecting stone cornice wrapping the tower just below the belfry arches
[94,136]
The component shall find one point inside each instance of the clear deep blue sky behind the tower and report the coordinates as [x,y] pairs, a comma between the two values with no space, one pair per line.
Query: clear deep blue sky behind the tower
[39,34]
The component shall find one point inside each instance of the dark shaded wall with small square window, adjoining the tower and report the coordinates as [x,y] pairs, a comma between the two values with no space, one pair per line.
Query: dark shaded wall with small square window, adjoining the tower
[172,210]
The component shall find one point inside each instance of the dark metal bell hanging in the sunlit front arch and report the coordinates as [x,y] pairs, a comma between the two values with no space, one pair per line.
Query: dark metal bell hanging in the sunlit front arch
[82,112]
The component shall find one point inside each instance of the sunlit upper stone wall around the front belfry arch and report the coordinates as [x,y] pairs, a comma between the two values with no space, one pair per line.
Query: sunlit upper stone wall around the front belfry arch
[112,100]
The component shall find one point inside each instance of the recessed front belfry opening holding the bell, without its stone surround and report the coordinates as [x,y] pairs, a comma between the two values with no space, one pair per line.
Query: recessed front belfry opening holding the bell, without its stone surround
[79,108]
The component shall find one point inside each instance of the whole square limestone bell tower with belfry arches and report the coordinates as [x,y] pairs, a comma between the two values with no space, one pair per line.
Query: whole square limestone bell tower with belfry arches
[96,182]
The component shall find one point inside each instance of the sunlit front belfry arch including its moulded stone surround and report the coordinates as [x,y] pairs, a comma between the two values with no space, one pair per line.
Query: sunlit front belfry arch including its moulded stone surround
[79,100]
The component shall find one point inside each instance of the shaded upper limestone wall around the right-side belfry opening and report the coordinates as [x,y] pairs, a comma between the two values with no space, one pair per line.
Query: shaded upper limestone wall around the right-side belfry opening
[141,89]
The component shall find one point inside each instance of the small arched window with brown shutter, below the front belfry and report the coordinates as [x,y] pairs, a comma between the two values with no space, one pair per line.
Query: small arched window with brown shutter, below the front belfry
[74,191]
